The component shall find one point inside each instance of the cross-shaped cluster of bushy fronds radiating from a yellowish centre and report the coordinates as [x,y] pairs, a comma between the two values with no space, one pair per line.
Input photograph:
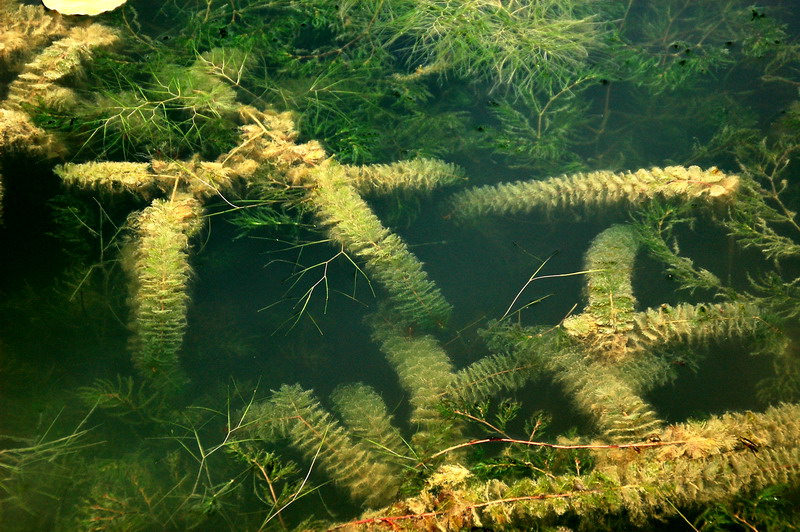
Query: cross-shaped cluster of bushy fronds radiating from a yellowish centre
[608,355]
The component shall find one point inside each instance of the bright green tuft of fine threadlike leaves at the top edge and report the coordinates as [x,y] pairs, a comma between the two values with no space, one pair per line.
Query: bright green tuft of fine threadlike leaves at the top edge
[514,45]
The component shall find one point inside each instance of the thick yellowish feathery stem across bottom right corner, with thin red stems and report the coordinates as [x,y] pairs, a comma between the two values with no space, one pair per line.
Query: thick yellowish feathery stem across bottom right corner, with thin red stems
[693,463]
